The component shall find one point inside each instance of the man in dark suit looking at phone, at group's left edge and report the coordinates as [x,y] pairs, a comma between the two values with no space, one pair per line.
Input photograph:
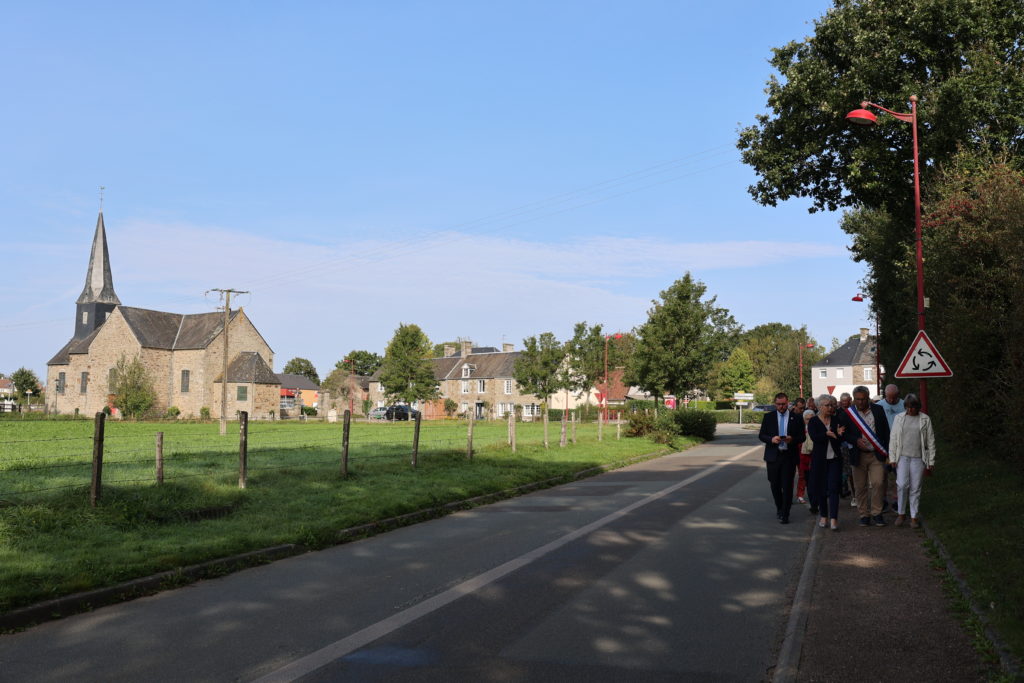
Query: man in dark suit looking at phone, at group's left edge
[783,433]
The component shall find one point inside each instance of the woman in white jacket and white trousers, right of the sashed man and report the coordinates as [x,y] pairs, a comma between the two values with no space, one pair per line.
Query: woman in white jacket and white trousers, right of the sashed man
[912,451]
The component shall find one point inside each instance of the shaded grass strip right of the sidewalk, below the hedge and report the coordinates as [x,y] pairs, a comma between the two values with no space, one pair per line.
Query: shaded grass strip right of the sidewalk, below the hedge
[975,506]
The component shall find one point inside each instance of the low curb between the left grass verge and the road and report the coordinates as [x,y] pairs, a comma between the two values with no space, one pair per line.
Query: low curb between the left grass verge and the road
[24,618]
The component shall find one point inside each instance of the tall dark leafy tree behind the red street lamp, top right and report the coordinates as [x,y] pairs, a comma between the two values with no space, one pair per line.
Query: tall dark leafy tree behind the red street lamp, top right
[962,59]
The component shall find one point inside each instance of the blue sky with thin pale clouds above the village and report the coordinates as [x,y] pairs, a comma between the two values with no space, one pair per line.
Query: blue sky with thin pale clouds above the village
[487,170]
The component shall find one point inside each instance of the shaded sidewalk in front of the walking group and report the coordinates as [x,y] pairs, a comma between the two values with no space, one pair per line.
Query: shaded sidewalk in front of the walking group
[878,612]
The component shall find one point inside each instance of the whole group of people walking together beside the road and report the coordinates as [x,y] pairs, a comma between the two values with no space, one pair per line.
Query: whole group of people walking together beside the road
[854,438]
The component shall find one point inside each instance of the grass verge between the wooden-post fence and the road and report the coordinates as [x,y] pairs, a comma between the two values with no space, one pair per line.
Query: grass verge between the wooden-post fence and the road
[57,545]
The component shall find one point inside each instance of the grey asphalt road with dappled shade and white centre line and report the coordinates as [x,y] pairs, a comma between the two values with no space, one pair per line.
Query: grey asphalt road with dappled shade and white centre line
[671,570]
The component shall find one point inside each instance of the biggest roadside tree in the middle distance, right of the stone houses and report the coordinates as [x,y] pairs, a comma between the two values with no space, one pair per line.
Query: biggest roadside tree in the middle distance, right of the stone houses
[681,341]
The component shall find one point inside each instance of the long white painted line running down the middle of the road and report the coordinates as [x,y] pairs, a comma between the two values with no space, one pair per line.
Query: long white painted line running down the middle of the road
[340,649]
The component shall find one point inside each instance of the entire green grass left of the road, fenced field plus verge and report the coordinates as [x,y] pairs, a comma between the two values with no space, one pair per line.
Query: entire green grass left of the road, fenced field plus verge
[54,543]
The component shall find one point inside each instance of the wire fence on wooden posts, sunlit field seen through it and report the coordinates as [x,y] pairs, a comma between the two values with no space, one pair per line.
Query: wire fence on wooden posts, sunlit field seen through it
[39,458]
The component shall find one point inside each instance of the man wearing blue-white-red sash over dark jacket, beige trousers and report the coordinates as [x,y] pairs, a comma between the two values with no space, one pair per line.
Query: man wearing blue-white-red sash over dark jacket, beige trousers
[868,435]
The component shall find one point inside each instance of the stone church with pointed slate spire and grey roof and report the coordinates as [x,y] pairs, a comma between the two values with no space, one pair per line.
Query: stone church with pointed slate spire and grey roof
[183,354]
